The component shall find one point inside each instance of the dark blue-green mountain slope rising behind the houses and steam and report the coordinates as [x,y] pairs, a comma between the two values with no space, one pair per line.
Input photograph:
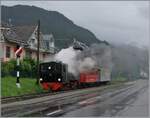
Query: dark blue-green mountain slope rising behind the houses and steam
[63,29]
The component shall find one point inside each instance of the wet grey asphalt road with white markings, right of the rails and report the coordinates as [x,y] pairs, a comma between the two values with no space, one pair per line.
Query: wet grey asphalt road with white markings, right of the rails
[128,102]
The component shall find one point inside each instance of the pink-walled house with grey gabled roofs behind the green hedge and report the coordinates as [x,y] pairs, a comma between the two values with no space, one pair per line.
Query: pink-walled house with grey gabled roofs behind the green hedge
[25,36]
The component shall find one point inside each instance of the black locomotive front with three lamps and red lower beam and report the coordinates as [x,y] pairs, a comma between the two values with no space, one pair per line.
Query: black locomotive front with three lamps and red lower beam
[53,75]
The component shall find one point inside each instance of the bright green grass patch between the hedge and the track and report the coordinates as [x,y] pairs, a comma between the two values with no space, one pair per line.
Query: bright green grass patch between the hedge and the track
[28,86]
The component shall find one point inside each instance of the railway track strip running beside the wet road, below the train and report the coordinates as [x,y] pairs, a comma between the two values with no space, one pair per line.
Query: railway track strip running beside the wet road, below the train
[22,108]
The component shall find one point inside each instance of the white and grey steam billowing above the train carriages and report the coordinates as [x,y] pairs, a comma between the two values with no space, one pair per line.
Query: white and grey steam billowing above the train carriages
[98,55]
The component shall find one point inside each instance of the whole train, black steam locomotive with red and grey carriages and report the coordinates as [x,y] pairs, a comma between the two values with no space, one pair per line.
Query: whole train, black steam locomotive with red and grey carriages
[55,76]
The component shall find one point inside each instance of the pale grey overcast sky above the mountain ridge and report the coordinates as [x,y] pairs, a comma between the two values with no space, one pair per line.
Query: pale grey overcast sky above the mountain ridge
[113,21]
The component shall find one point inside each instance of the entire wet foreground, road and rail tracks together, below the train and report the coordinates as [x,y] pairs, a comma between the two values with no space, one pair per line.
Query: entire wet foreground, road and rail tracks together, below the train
[127,99]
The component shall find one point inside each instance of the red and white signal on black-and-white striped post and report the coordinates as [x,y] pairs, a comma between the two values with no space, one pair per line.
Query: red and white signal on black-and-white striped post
[18,52]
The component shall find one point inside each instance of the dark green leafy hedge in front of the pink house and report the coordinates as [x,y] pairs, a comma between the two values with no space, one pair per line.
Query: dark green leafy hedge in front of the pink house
[28,68]
